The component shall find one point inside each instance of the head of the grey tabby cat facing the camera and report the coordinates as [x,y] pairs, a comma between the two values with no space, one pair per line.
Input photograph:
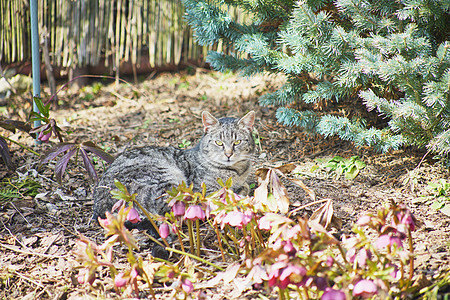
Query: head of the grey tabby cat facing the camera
[228,141]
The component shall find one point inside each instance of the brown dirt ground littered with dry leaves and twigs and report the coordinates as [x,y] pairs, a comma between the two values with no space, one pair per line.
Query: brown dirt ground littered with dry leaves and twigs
[38,233]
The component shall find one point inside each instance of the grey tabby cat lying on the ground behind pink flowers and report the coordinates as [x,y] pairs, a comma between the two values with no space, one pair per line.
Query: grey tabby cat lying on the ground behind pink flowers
[225,150]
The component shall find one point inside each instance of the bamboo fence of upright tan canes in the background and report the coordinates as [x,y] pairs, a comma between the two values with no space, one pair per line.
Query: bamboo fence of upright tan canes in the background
[92,32]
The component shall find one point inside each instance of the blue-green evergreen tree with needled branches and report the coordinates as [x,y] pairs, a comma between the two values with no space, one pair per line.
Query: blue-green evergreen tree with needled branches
[391,56]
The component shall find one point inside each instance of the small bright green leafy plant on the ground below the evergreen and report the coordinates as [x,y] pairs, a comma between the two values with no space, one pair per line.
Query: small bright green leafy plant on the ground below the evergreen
[340,166]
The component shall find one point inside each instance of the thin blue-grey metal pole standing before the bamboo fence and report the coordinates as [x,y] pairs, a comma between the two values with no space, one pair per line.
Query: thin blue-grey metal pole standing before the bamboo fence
[35,58]
